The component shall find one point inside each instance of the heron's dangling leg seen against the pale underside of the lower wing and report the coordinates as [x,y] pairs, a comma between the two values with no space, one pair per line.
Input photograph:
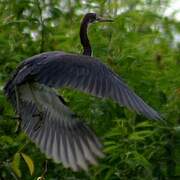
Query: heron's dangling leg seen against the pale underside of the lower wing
[39,112]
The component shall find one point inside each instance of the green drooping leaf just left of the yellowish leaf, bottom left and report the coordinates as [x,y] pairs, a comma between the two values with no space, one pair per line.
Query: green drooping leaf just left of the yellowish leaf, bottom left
[16,164]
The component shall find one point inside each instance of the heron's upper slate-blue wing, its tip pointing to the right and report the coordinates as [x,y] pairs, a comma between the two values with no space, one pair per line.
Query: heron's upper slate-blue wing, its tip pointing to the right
[89,75]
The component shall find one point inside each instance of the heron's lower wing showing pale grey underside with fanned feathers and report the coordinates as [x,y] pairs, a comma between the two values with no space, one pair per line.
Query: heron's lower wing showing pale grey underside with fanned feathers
[59,134]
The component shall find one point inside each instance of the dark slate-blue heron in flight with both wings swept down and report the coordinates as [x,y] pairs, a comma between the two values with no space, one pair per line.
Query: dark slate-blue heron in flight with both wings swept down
[45,116]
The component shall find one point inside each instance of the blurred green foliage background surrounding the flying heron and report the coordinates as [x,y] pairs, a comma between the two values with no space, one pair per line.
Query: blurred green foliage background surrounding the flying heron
[142,45]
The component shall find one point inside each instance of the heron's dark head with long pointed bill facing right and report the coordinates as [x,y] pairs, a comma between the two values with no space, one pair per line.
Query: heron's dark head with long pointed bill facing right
[93,17]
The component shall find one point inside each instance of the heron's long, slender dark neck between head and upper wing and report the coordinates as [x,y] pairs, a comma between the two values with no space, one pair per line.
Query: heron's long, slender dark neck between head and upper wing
[84,38]
